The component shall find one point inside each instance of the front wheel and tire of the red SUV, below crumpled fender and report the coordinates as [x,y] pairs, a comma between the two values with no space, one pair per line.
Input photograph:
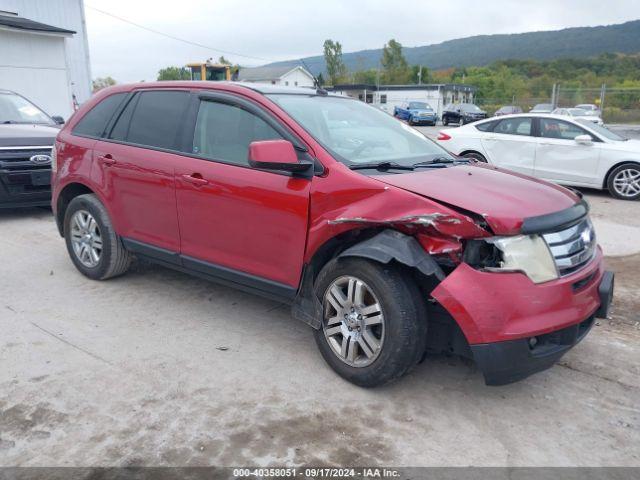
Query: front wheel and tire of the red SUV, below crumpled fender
[374,325]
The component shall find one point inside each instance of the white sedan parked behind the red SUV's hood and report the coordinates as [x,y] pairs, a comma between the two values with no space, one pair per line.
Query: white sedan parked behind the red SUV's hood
[555,148]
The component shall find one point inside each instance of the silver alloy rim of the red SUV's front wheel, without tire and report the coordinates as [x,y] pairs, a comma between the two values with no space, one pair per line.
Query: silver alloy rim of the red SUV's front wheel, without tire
[354,324]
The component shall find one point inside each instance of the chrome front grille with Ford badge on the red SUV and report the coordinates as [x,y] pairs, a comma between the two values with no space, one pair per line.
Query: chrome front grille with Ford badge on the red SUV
[573,247]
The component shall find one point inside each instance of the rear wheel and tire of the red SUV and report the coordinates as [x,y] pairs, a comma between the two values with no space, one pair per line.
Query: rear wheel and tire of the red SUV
[93,245]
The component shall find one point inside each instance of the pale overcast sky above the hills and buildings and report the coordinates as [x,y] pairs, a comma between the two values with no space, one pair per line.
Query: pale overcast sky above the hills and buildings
[273,30]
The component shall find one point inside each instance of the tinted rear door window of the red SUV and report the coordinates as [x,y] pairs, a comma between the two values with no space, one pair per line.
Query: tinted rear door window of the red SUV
[152,119]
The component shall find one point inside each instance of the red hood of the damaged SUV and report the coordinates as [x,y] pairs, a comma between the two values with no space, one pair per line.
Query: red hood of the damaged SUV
[504,199]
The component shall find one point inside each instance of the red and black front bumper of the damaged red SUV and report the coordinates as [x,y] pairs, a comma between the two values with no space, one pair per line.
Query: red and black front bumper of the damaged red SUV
[516,328]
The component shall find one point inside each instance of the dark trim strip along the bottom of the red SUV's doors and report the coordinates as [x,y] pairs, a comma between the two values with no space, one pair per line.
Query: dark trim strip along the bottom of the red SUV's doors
[213,272]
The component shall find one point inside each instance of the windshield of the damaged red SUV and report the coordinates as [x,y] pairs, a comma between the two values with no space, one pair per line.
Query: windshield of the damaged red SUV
[356,133]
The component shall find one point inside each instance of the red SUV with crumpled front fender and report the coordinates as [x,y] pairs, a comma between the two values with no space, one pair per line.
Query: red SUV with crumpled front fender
[385,244]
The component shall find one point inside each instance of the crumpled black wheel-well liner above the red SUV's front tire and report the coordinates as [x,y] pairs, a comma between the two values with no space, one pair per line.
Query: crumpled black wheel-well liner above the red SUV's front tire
[393,245]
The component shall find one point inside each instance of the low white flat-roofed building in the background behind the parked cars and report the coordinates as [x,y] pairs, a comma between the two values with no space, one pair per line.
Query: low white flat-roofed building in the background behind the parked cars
[389,96]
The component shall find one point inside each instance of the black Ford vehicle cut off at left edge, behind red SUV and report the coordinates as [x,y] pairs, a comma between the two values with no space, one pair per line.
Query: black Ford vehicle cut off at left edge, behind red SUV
[27,135]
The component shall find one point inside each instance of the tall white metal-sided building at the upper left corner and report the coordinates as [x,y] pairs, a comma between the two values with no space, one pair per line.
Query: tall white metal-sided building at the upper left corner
[44,53]
